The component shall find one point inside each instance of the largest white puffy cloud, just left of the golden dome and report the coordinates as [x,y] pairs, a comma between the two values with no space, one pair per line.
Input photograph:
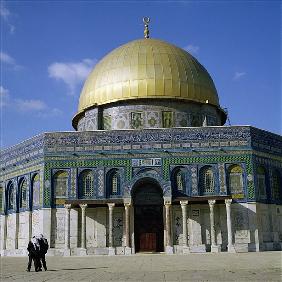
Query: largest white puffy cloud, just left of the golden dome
[71,73]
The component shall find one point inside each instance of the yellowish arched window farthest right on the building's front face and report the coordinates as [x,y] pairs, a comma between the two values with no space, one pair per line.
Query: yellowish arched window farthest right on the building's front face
[235,180]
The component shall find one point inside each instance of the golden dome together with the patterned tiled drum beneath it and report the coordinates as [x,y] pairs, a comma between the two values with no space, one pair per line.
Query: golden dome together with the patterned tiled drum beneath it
[148,83]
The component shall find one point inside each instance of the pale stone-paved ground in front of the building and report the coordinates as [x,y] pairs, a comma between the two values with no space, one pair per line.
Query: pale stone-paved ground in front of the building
[265,266]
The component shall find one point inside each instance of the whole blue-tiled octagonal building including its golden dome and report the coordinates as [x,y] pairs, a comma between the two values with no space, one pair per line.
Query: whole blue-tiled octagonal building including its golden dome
[150,167]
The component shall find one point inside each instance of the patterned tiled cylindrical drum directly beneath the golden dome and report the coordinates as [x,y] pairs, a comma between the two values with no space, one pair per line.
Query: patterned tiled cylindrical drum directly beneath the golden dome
[148,113]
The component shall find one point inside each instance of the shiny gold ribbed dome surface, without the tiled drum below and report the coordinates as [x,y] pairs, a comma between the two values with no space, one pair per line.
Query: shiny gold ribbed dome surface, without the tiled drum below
[147,68]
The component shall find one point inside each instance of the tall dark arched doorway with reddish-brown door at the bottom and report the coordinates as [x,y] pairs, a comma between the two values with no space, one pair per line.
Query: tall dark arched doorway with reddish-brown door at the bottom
[148,216]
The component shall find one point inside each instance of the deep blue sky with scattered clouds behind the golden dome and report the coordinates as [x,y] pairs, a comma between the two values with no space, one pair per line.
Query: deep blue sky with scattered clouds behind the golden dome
[49,47]
